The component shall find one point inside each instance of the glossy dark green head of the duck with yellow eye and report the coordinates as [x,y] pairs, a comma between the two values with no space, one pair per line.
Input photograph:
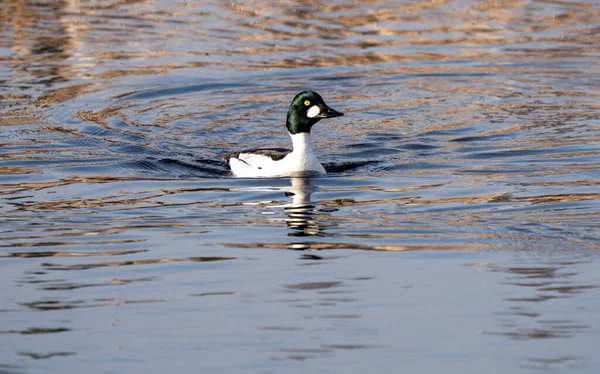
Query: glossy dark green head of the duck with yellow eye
[307,108]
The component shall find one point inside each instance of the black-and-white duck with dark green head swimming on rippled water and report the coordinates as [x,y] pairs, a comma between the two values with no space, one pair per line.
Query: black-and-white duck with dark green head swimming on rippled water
[307,108]
